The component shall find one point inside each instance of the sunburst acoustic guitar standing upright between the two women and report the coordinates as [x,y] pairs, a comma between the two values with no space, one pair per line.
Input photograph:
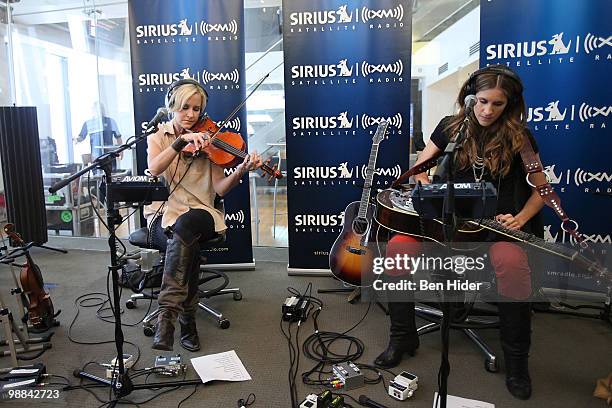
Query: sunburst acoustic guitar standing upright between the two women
[350,254]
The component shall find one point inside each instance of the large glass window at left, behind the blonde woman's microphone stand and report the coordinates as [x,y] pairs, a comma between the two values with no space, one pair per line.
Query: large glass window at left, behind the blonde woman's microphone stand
[73,64]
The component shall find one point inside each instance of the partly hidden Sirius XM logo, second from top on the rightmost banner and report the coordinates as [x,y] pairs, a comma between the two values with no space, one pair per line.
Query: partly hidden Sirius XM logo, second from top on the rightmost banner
[559,116]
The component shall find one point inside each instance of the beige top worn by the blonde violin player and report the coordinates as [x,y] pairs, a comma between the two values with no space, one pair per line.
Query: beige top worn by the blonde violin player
[195,189]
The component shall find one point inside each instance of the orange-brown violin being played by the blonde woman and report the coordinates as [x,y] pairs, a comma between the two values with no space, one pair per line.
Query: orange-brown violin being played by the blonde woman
[226,149]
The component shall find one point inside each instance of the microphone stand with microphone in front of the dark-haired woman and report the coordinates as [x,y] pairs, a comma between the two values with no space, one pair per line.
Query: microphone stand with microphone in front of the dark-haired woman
[449,228]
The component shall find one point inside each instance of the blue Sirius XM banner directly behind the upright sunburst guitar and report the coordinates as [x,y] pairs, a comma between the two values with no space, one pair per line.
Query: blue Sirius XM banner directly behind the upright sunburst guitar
[347,67]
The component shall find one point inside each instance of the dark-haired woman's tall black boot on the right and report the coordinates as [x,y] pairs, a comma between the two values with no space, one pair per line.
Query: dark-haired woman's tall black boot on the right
[515,333]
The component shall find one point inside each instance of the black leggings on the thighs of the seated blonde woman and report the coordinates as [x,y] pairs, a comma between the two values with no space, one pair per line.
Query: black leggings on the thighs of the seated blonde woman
[194,224]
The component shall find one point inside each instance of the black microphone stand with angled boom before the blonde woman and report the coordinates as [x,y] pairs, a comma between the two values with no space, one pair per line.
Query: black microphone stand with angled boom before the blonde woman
[121,384]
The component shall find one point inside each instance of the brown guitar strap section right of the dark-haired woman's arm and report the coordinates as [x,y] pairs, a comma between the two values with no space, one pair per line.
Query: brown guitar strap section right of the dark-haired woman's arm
[537,179]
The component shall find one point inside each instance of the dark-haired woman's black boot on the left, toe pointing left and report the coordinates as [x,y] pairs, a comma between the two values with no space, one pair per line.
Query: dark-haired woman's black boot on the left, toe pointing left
[403,337]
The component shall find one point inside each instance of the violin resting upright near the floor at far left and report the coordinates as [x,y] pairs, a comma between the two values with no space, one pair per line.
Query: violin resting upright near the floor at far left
[41,313]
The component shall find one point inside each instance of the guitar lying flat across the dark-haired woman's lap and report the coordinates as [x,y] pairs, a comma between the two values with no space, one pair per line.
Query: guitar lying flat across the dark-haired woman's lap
[395,212]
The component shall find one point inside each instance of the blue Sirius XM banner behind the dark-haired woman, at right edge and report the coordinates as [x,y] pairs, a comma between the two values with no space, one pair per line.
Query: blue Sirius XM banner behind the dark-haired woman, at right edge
[562,49]
